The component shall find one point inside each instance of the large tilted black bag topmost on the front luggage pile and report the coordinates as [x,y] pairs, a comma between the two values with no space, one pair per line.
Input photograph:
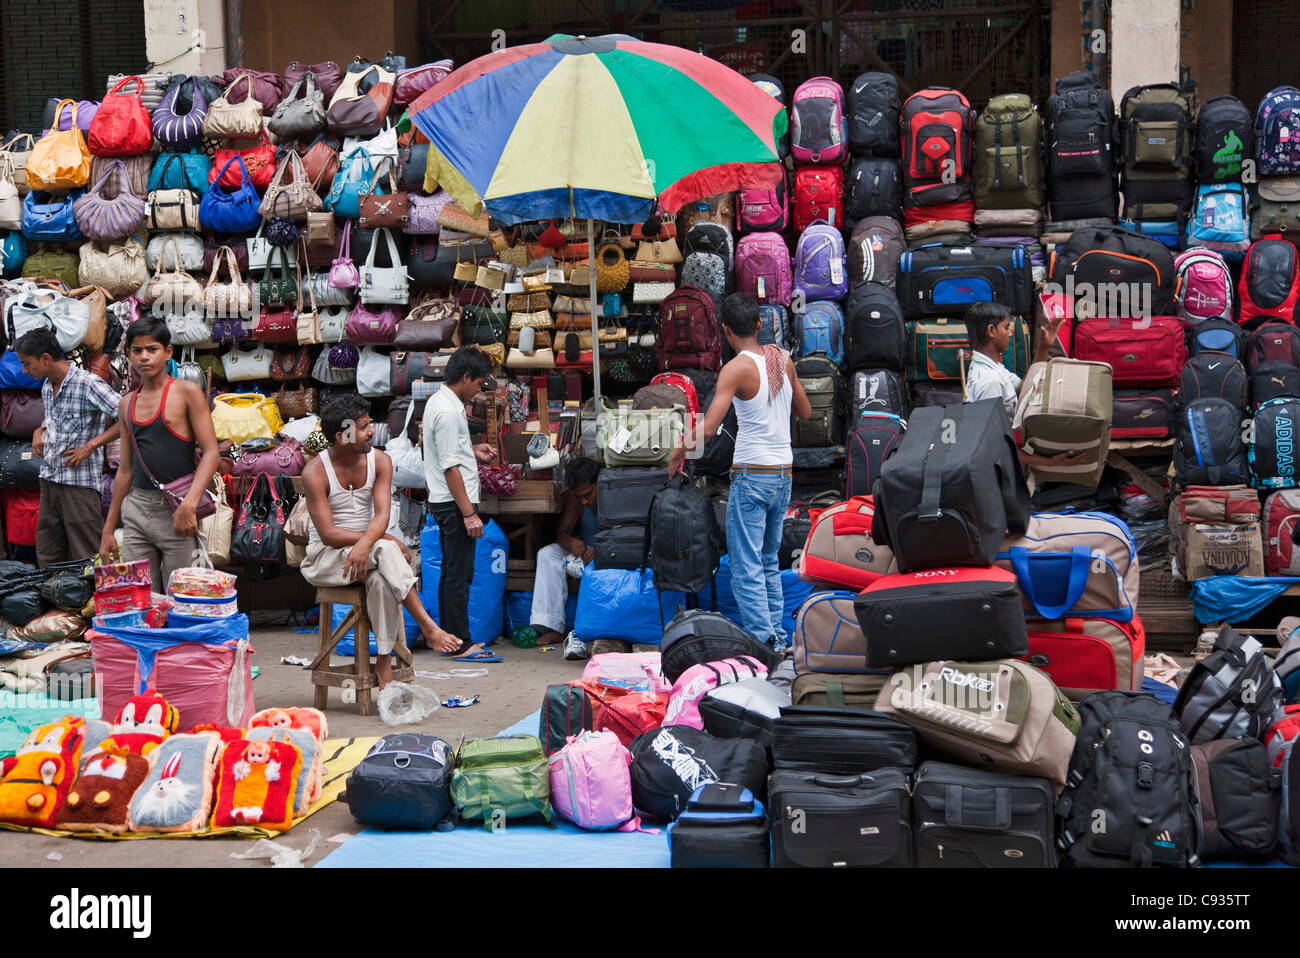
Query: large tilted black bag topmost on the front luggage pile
[954,491]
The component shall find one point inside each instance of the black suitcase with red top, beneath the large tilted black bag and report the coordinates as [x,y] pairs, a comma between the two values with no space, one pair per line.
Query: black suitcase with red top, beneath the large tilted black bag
[935,614]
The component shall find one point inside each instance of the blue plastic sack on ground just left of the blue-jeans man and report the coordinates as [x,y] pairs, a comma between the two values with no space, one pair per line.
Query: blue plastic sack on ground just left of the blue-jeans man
[623,604]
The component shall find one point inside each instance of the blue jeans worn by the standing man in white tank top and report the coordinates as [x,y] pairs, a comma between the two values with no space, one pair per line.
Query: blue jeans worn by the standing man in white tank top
[756,515]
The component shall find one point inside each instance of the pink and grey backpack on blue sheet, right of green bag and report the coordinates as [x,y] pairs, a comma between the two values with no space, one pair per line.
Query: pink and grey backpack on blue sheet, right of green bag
[591,783]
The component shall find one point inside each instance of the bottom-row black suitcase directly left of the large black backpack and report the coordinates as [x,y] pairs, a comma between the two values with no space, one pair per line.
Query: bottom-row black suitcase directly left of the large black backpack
[973,818]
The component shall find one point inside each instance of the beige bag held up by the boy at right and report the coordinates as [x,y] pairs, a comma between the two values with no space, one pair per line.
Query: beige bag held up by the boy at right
[1067,405]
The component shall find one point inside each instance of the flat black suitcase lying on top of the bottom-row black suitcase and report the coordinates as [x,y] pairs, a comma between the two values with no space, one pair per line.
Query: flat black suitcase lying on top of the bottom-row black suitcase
[842,740]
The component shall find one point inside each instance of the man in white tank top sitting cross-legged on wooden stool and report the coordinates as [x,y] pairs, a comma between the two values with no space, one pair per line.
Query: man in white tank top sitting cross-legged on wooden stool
[350,497]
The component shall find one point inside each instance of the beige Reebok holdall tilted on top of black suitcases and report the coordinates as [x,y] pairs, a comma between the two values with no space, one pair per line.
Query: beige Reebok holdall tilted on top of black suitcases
[1003,714]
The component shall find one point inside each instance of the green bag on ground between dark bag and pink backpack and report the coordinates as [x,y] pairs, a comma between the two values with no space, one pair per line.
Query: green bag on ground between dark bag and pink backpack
[504,778]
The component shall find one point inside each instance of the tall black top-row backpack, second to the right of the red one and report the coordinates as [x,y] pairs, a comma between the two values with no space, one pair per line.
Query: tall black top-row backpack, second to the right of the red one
[1080,135]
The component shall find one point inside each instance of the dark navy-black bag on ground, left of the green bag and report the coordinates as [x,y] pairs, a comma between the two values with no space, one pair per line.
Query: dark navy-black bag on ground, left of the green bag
[404,782]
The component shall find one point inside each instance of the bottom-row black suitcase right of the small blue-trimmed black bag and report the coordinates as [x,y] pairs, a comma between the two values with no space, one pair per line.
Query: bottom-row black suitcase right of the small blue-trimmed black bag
[840,822]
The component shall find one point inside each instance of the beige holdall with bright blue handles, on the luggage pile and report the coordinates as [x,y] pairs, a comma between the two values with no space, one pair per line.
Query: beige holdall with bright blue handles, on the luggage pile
[1074,565]
